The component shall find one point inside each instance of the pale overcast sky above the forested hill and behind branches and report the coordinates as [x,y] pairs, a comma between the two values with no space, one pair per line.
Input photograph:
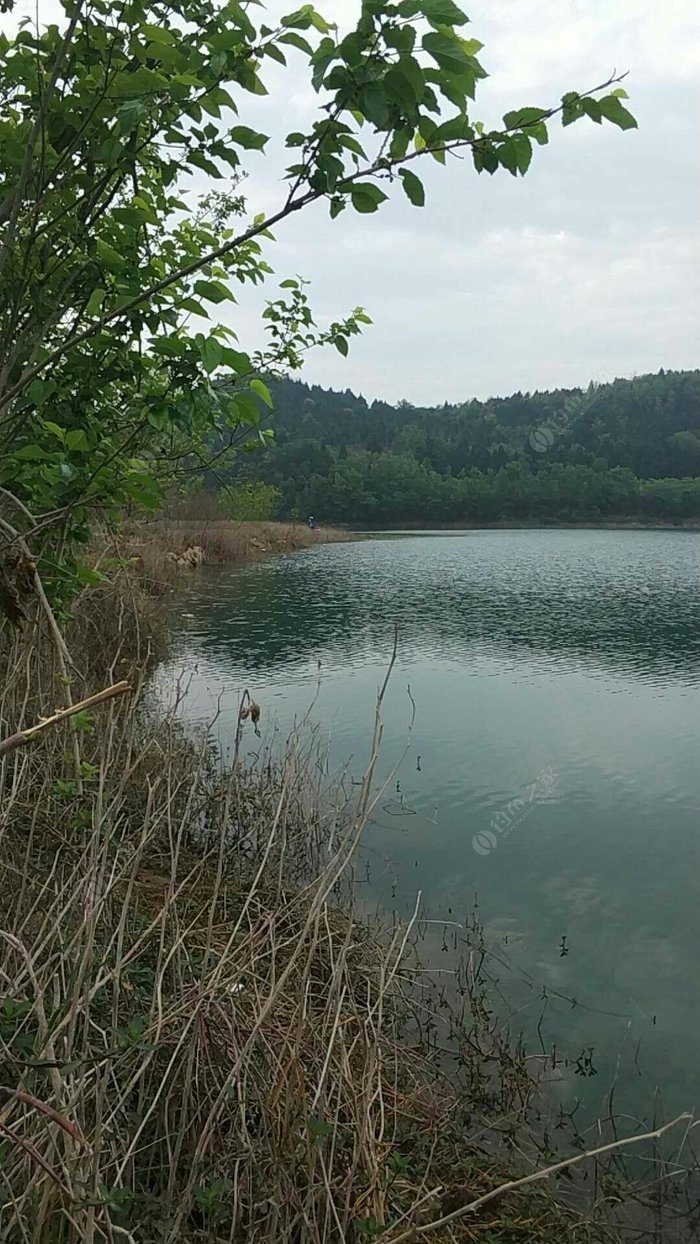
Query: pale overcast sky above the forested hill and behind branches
[586,269]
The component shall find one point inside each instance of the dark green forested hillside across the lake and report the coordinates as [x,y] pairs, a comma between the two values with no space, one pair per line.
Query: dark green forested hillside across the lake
[626,450]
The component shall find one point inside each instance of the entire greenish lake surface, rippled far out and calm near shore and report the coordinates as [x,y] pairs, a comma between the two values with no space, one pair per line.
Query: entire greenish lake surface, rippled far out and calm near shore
[551,773]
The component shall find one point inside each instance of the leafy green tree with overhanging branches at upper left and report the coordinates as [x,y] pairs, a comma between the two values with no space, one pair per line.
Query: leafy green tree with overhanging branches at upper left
[111,272]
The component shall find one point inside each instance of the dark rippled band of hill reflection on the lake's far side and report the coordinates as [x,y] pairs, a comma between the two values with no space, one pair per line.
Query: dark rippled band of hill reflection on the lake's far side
[625,603]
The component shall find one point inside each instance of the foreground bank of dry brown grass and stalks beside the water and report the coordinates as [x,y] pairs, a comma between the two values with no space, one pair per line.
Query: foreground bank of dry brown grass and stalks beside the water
[201,1039]
